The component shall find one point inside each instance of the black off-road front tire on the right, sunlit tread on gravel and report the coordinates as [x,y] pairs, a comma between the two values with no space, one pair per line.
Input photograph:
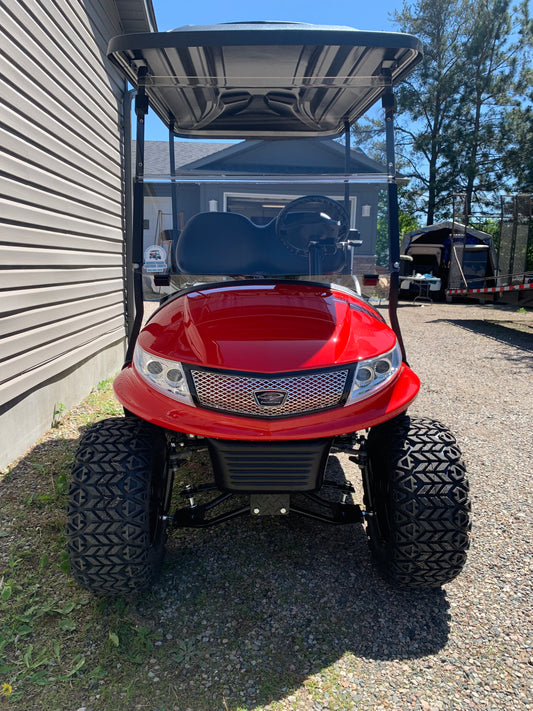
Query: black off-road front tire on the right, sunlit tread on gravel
[417,494]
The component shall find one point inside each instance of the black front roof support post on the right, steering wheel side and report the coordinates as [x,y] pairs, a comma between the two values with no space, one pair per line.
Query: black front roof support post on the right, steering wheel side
[389,106]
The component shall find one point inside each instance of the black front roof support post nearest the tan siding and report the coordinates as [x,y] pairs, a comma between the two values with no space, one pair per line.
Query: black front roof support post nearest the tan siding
[141,109]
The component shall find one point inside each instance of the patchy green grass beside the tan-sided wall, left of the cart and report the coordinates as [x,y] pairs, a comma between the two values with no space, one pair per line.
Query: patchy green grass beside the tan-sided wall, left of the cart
[54,636]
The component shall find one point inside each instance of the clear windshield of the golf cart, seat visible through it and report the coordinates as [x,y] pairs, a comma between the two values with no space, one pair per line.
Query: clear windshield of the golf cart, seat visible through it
[258,210]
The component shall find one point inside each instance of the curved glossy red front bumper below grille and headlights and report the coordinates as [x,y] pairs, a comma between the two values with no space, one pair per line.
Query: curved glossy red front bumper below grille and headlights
[149,404]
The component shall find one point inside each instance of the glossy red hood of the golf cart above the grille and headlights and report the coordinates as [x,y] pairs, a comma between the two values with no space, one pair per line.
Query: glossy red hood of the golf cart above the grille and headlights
[266,328]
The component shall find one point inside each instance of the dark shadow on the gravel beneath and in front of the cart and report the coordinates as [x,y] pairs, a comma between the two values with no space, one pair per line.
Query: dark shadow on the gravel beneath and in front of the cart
[261,605]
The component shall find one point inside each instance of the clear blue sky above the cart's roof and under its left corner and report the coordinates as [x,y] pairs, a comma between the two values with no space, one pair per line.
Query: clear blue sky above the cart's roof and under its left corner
[361,14]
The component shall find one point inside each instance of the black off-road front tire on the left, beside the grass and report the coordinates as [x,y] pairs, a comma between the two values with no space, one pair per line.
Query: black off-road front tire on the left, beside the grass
[118,495]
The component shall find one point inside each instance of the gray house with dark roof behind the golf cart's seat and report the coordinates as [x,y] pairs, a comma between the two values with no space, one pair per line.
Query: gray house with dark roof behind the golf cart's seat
[259,202]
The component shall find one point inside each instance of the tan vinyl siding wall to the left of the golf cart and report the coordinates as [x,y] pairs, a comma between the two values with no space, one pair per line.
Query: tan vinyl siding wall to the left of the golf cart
[61,197]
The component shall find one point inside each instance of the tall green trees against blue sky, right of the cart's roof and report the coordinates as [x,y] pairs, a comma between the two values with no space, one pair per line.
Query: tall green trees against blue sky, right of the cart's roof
[465,121]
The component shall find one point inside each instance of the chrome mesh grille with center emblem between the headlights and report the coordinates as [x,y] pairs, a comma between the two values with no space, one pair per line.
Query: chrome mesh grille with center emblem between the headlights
[238,393]
